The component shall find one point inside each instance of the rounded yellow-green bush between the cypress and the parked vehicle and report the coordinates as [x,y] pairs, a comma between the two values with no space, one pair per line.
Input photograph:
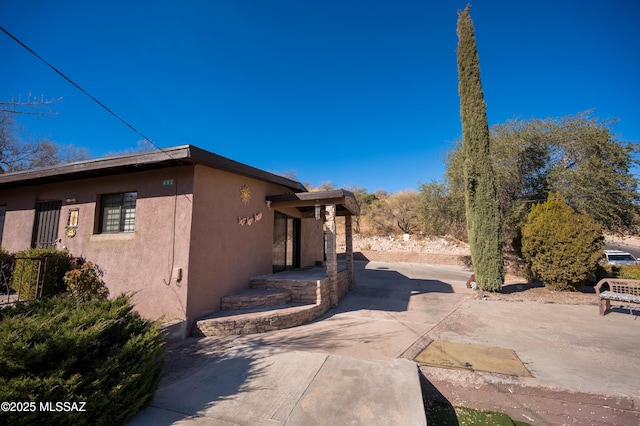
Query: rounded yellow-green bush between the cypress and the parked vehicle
[562,247]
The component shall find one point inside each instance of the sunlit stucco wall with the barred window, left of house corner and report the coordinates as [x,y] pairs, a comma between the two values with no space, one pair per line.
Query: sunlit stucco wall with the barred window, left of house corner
[141,262]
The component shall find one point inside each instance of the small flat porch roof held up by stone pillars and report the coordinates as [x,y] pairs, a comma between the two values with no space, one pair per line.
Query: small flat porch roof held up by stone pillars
[345,201]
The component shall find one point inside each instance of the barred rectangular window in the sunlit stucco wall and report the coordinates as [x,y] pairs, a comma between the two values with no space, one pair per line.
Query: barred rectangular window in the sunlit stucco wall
[118,212]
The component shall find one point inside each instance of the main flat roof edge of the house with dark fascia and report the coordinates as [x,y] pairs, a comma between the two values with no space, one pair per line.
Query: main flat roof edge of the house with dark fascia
[136,162]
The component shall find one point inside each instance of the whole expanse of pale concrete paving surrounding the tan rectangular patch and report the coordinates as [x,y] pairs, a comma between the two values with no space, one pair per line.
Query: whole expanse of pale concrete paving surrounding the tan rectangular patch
[354,365]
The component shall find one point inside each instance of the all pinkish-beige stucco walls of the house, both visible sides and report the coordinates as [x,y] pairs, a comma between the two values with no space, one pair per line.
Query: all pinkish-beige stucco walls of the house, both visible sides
[190,224]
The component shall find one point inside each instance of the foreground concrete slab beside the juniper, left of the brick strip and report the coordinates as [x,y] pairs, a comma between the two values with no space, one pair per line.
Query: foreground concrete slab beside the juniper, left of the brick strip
[252,387]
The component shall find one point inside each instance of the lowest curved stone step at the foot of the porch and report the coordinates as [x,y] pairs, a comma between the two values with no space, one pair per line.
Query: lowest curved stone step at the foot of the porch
[228,323]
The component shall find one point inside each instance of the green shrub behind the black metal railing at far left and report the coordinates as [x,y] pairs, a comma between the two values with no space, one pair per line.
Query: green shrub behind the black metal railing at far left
[54,264]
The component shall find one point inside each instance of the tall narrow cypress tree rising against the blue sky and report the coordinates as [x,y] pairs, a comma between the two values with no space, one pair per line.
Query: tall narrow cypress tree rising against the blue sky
[481,203]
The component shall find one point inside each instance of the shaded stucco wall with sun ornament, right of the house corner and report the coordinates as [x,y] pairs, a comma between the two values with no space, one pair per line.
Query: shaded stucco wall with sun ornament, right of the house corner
[224,254]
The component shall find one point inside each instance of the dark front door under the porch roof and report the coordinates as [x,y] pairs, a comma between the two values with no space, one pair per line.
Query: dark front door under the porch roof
[286,242]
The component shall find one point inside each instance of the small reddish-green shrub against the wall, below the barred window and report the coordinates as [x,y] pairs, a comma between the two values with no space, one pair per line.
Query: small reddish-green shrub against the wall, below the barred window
[84,281]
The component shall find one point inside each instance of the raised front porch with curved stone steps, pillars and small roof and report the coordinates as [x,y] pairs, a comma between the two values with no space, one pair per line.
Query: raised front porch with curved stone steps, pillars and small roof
[295,296]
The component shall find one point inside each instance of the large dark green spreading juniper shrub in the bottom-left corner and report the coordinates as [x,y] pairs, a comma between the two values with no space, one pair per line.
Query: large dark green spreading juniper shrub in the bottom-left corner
[62,350]
